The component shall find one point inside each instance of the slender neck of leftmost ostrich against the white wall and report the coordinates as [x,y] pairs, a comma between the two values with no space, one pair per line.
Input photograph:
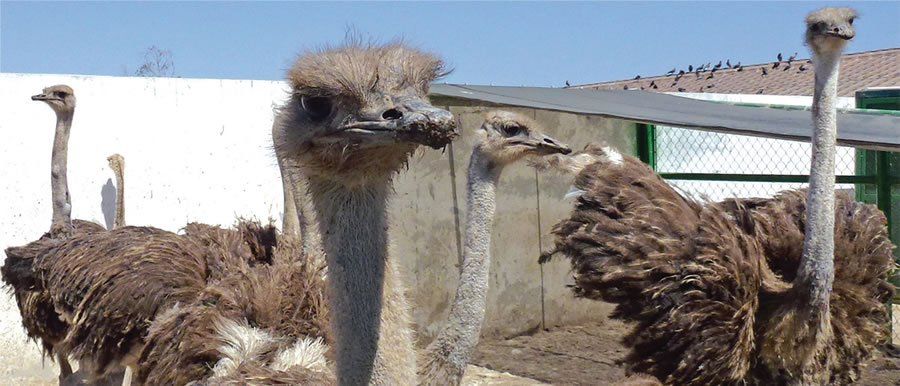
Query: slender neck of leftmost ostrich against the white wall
[62,205]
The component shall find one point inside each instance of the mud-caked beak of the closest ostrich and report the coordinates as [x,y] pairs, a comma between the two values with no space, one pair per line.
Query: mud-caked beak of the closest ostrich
[412,120]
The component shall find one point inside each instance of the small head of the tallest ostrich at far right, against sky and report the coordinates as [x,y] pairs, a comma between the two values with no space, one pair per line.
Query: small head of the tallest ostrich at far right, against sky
[829,29]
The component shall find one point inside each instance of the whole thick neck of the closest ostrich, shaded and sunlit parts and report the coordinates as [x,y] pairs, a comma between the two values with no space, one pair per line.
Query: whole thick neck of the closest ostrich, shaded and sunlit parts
[353,223]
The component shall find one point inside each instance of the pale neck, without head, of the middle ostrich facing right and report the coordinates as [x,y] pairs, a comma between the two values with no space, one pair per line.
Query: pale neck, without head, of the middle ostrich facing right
[455,342]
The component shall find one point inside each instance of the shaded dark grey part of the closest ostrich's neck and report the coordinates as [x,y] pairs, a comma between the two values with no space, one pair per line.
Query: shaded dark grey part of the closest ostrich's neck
[353,222]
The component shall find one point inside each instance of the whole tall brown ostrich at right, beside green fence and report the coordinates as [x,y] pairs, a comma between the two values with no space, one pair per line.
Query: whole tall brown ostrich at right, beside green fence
[721,292]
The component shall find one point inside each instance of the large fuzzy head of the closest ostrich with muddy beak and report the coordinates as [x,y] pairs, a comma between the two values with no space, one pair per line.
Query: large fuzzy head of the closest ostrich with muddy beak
[358,112]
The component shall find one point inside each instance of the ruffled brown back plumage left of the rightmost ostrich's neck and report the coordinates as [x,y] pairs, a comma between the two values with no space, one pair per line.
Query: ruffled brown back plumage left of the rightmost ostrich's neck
[685,272]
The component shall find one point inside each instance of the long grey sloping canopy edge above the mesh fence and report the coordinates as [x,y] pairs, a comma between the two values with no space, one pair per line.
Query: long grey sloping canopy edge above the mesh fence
[865,129]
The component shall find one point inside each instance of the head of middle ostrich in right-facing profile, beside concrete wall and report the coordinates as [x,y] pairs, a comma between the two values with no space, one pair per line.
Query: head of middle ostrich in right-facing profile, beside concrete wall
[507,137]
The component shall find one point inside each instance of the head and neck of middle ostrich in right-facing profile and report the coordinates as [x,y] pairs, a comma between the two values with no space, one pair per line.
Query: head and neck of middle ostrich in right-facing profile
[503,138]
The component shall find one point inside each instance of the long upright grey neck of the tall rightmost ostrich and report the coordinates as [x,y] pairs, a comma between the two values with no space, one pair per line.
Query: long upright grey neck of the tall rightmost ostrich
[816,272]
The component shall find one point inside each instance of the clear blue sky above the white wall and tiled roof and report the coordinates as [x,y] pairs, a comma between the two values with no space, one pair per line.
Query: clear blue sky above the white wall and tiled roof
[503,43]
